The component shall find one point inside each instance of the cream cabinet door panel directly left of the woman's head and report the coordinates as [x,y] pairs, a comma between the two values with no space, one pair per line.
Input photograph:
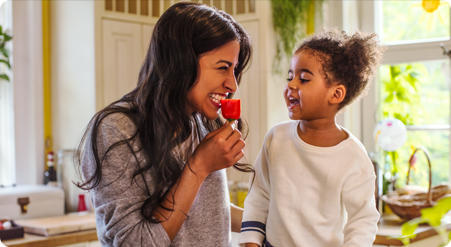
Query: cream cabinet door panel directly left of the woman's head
[122,58]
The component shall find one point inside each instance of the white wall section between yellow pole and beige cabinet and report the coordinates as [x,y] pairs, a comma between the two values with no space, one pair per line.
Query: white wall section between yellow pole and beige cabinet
[72,70]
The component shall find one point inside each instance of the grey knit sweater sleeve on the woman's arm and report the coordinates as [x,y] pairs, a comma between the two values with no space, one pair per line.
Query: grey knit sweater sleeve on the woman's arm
[118,198]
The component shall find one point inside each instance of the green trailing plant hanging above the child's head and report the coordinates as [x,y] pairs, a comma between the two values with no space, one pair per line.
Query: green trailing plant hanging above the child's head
[292,20]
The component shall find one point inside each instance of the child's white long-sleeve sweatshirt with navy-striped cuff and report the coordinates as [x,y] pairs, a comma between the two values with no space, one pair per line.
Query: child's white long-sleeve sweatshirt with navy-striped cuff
[310,196]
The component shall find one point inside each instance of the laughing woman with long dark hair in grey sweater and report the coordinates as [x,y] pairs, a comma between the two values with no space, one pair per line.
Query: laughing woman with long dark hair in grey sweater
[154,160]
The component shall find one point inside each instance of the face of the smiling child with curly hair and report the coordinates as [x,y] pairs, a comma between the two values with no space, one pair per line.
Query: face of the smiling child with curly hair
[307,93]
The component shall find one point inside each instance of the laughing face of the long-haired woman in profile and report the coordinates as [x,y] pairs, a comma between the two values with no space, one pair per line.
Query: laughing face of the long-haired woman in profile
[215,80]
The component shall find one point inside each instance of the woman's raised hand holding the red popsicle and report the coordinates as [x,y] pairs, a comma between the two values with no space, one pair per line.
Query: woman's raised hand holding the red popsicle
[220,149]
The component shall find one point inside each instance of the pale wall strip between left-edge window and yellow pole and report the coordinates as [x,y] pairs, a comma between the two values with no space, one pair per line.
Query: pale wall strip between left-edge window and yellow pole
[28,83]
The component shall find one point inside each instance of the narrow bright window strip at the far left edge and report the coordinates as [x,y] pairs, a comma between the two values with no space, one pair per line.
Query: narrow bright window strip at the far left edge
[7,158]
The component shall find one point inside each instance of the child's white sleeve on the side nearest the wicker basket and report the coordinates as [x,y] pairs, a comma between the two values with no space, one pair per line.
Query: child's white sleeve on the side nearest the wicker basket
[358,197]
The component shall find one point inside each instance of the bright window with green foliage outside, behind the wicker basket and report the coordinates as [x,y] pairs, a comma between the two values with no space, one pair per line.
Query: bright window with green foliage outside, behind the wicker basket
[414,83]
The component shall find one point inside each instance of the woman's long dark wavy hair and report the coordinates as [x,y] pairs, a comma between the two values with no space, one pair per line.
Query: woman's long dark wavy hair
[157,106]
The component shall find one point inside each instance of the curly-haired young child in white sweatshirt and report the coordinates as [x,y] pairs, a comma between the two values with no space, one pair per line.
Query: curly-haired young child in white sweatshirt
[314,183]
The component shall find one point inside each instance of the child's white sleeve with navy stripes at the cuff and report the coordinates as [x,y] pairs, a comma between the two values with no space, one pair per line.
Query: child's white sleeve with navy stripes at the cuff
[256,205]
